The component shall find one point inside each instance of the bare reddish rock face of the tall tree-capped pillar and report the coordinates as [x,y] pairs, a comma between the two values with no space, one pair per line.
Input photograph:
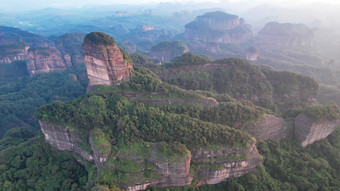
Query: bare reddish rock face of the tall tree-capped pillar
[105,65]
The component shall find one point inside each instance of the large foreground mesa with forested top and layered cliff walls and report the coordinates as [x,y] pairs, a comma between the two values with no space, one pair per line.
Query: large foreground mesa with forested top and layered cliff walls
[140,145]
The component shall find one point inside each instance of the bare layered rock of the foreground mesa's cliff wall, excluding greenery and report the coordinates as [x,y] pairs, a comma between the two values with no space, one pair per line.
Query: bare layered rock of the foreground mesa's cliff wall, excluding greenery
[171,171]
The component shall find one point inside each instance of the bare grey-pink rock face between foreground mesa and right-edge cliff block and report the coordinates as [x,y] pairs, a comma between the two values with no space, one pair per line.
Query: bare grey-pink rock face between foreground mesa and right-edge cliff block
[268,127]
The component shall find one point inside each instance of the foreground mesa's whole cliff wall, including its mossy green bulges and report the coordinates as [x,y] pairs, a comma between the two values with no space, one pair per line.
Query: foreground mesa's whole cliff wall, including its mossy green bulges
[157,164]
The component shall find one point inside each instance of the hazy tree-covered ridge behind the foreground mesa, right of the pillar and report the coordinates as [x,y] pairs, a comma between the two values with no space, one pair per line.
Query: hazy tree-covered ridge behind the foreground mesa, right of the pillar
[241,80]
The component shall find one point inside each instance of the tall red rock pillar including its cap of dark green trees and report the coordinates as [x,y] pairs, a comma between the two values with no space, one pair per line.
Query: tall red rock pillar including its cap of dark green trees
[105,62]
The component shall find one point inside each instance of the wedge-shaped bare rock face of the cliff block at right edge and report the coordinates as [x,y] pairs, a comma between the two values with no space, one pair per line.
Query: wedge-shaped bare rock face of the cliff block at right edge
[308,130]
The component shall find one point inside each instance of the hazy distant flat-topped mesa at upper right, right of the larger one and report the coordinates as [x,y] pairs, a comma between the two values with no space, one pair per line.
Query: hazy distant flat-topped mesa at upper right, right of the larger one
[276,36]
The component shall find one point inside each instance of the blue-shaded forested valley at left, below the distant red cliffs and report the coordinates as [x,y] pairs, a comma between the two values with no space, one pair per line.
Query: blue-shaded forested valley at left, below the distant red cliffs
[20,95]
